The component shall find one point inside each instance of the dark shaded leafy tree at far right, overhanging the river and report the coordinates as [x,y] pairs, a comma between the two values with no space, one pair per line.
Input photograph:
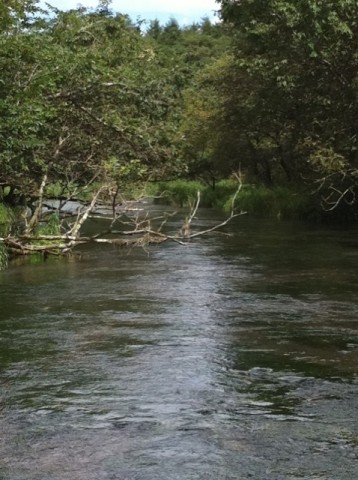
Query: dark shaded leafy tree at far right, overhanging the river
[300,61]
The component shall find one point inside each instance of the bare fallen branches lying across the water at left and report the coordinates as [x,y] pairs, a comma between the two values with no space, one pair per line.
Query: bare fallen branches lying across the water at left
[137,228]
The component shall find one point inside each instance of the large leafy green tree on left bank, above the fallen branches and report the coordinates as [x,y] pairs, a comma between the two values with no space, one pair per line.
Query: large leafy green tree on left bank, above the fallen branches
[80,88]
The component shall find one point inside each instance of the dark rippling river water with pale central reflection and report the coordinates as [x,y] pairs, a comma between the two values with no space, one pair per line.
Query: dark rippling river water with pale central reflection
[230,358]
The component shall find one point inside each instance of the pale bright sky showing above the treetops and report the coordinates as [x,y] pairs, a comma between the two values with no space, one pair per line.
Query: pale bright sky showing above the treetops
[185,11]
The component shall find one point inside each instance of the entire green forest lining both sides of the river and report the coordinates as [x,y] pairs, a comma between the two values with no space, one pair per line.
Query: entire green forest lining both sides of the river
[93,104]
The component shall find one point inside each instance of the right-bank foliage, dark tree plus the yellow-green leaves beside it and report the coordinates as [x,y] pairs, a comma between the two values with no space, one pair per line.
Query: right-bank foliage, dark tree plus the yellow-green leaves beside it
[283,105]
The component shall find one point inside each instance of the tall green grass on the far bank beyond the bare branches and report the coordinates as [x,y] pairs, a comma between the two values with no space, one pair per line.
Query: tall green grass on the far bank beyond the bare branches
[257,201]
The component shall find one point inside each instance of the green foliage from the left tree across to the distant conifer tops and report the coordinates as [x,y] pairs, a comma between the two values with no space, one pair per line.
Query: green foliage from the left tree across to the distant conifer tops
[86,95]
